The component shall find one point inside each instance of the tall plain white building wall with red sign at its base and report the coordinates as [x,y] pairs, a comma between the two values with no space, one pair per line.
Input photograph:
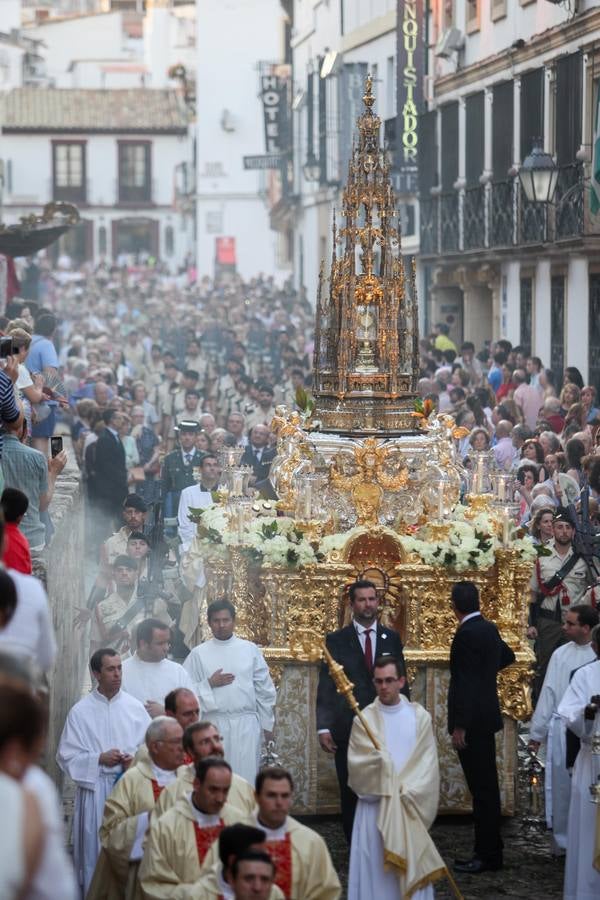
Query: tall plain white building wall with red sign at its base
[237,42]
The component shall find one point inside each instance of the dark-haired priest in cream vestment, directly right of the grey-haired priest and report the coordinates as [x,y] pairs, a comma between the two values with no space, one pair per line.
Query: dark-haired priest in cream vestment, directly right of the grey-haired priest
[201,740]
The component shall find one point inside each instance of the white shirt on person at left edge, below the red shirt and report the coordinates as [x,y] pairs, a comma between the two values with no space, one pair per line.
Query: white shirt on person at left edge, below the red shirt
[30,633]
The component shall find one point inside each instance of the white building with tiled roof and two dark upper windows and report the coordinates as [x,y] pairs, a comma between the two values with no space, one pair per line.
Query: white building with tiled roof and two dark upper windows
[113,154]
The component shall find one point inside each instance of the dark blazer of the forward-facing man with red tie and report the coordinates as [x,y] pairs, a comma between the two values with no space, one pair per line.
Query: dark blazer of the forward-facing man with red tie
[333,712]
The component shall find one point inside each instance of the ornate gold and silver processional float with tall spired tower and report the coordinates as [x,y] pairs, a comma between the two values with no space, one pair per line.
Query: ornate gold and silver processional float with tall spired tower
[368,485]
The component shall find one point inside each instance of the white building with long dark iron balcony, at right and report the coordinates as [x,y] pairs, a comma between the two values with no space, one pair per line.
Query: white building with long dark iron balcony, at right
[503,75]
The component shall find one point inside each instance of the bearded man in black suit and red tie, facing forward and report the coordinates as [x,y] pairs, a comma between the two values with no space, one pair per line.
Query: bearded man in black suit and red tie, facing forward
[355,648]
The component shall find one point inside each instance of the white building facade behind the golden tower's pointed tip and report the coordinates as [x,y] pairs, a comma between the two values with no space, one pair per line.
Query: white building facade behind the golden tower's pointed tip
[334,47]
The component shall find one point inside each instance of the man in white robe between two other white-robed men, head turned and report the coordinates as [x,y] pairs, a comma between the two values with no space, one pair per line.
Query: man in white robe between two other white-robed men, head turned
[148,675]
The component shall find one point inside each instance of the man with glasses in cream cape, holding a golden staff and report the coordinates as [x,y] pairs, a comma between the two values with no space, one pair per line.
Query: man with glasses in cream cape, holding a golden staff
[392,855]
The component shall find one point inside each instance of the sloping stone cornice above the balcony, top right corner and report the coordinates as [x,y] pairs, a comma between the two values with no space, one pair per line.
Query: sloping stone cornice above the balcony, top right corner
[549,41]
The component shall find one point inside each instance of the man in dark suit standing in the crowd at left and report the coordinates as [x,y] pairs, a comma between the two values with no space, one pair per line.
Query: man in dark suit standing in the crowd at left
[110,470]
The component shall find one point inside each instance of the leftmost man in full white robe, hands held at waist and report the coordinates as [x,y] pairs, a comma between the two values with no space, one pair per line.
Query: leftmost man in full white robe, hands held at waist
[101,734]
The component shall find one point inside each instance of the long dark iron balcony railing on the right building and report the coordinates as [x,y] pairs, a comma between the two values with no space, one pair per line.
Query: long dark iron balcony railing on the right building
[498,215]
